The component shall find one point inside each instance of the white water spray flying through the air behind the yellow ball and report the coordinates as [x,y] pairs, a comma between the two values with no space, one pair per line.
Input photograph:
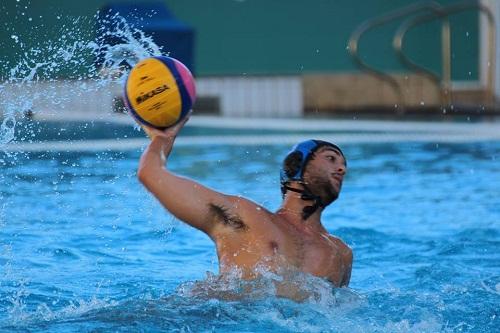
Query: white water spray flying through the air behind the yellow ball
[96,61]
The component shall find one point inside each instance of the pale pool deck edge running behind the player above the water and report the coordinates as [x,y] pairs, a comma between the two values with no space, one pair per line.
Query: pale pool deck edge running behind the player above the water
[359,131]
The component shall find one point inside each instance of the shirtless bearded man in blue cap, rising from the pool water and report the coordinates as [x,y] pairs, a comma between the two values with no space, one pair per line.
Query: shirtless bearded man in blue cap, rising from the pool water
[247,235]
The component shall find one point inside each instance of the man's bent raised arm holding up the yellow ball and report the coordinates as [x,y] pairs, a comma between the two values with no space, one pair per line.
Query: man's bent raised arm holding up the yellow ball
[185,199]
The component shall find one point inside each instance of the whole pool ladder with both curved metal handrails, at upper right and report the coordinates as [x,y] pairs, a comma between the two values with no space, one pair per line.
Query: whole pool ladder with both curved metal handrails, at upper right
[421,13]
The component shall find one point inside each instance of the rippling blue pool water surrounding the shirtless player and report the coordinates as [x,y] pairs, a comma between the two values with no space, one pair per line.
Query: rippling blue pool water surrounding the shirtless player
[84,248]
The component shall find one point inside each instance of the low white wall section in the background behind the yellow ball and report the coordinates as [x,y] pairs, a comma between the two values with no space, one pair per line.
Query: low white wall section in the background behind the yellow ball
[237,97]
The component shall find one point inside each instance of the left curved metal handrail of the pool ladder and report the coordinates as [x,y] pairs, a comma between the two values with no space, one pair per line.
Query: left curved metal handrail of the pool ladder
[370,24]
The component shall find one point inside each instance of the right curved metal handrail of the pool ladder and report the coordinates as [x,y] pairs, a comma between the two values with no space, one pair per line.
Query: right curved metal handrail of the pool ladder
[445,81]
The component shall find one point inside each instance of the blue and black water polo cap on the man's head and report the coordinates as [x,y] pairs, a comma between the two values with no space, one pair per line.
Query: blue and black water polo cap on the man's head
[296,160]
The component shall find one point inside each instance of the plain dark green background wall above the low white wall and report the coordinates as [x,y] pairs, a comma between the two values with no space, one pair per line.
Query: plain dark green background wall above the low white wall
[259,37]
